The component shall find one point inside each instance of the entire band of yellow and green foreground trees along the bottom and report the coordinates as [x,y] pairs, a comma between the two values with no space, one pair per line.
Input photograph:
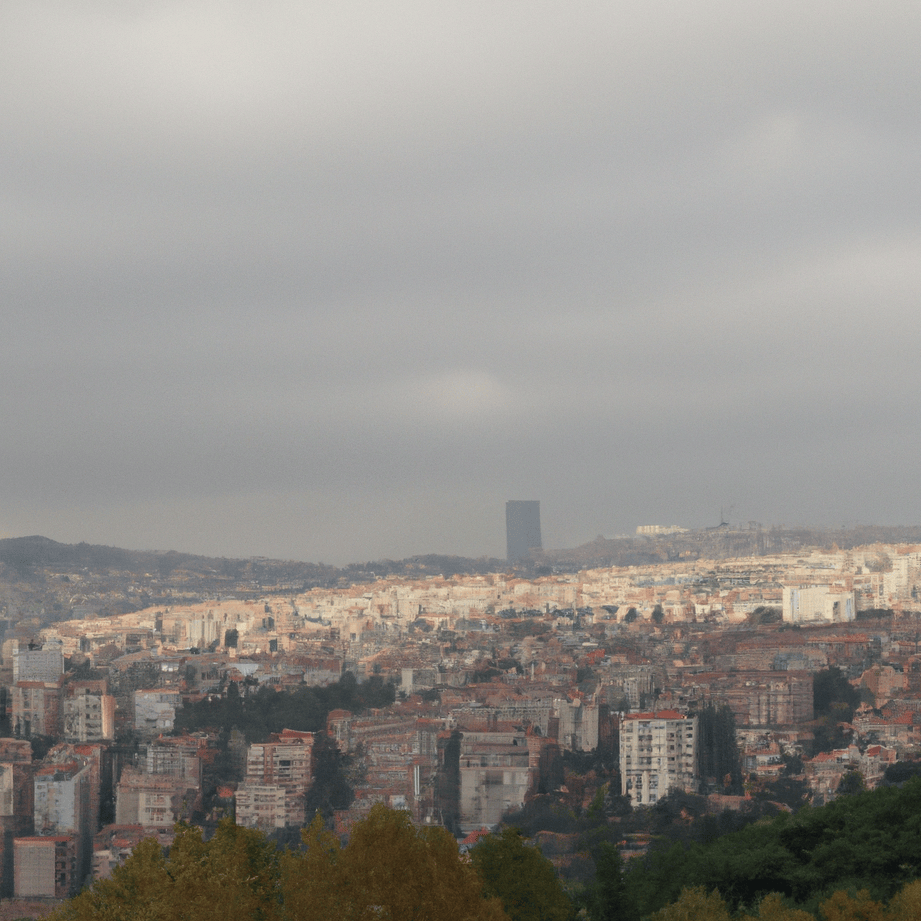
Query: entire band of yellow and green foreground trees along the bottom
[858,857]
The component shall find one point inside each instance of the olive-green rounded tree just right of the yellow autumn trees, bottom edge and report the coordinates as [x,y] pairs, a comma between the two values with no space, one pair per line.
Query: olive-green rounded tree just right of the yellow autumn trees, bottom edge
[523,880]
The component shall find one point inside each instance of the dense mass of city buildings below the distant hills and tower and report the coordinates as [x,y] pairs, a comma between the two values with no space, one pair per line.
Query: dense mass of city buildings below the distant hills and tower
[496,677]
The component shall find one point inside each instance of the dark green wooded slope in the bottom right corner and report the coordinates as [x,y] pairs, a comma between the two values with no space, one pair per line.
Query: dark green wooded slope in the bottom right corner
[865,841]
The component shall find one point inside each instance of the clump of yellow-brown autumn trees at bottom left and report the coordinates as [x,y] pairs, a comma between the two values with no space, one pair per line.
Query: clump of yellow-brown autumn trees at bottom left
[389,871]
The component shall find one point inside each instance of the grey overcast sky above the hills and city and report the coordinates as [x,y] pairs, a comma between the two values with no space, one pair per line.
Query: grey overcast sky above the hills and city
[333,281]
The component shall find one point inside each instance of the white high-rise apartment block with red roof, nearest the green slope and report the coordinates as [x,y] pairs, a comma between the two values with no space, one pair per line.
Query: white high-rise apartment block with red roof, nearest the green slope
[658,753]
